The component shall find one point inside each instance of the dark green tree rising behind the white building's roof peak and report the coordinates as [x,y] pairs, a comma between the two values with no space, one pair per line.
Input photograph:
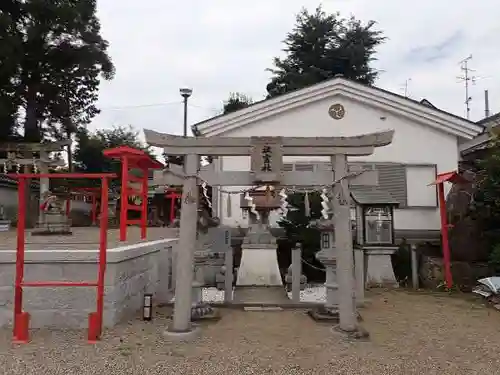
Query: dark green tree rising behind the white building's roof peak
[321,46]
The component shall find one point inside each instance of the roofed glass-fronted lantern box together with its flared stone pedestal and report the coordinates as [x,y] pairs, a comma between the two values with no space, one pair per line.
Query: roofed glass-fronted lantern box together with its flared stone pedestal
[375,234]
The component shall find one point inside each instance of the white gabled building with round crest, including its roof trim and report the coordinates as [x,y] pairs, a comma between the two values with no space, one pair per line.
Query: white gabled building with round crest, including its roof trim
[426,142]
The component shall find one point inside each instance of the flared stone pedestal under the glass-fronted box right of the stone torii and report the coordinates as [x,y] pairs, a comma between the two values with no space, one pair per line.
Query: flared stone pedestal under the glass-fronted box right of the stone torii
[379,266]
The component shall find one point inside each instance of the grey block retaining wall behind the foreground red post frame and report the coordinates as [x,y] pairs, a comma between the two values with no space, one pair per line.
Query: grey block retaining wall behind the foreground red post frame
[131,272]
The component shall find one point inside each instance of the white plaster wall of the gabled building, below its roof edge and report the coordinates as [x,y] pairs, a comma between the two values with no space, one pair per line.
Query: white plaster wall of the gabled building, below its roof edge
[413,143]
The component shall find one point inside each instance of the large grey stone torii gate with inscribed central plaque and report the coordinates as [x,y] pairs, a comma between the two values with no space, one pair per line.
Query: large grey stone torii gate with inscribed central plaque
[267,169]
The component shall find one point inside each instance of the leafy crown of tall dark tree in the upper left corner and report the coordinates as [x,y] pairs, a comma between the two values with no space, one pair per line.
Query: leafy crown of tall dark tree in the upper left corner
[52,58]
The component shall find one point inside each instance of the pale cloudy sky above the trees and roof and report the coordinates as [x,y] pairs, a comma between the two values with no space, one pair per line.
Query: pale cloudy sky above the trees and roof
[222,46]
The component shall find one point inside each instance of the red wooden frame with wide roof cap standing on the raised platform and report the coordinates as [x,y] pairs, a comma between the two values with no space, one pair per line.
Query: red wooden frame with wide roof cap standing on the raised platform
[132,158]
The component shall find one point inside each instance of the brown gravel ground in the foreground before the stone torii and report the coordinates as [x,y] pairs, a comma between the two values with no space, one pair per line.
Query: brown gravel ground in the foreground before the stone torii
[410,334]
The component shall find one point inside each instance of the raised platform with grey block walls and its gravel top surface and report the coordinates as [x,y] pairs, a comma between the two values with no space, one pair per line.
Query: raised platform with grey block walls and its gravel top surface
[133,268]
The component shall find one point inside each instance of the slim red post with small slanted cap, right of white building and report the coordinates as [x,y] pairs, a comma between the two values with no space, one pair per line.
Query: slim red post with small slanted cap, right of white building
[454,178]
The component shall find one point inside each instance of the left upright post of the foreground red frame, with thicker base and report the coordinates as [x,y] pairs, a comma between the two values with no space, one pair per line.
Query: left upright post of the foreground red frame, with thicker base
[21,319]
